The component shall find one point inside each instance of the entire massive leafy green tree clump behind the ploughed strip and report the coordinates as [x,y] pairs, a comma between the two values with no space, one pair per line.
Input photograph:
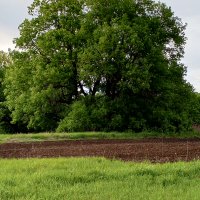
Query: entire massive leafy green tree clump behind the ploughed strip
[98,64]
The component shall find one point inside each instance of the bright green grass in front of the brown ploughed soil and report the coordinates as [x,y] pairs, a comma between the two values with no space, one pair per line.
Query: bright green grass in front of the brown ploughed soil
[97,178]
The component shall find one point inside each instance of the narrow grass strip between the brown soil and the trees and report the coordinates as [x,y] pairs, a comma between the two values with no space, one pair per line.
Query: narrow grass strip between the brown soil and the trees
[92,135]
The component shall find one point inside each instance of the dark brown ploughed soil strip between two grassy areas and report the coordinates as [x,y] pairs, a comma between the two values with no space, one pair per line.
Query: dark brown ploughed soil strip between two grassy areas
[154,150]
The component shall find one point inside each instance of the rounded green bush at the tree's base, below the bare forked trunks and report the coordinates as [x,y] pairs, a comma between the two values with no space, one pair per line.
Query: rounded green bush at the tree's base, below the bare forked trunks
[85,115]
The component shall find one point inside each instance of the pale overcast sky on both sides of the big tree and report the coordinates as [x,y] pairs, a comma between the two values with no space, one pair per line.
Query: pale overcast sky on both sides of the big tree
[13,12]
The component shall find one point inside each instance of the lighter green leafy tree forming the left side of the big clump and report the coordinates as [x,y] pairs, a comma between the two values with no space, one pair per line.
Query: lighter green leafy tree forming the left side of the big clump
[43,78]
